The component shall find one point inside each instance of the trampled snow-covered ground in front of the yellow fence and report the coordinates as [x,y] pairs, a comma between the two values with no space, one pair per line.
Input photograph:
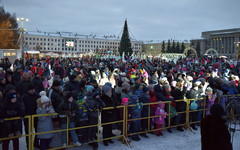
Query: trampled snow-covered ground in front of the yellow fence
[169,141]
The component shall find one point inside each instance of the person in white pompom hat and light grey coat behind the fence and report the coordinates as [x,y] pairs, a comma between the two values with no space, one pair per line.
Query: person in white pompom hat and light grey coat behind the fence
[45,123]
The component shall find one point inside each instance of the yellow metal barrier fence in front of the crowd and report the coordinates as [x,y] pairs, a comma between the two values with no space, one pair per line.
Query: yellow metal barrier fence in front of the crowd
[124,122]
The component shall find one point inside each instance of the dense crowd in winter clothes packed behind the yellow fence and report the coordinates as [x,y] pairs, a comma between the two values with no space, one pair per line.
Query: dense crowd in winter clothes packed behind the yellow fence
[78,87]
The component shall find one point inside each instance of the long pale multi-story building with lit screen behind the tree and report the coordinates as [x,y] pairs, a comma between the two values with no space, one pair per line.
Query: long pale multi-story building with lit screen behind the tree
[72,45]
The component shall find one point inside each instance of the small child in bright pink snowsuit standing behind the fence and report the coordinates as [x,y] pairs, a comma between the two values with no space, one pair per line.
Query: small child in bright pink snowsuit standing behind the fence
[160,120]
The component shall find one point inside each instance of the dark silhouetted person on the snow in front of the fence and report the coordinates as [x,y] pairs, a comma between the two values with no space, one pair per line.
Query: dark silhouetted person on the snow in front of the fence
[214,132]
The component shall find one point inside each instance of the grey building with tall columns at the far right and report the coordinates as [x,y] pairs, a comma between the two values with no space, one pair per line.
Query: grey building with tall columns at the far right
[225,42]
